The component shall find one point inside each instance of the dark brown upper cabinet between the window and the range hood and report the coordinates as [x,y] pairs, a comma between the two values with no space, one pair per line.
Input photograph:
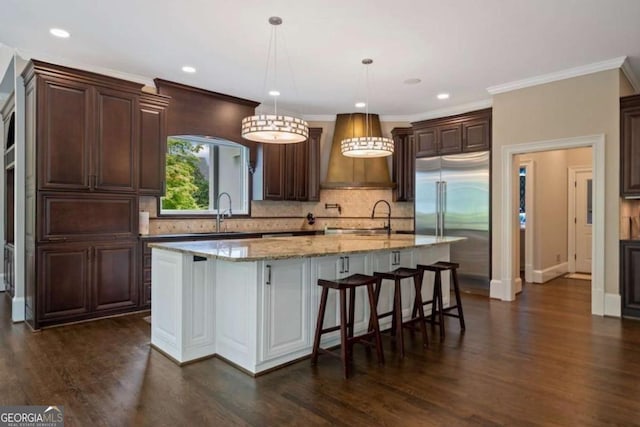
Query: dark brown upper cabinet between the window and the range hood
[292,171]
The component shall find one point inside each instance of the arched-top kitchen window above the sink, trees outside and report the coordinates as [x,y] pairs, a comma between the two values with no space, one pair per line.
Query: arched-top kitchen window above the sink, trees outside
[199,169]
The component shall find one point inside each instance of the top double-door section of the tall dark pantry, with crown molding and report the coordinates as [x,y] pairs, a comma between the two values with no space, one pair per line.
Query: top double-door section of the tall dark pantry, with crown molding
[87,129]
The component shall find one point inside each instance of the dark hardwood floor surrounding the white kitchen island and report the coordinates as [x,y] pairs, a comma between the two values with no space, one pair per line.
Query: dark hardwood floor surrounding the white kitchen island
[543,360]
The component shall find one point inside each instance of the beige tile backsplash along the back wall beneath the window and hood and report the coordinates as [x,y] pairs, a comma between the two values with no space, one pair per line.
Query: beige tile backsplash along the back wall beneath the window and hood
[355,211]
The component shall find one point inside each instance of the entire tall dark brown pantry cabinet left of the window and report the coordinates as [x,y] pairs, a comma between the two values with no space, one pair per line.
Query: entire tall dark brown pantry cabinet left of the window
[83,160]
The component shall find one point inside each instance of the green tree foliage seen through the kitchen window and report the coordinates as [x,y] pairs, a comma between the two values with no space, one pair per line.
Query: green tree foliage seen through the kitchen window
[187,187]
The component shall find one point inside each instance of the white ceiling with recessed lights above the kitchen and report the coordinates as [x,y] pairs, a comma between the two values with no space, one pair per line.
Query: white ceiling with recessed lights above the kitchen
[461,46]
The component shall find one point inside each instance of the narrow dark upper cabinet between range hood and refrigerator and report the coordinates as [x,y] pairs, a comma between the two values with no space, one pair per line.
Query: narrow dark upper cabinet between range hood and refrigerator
[403,160]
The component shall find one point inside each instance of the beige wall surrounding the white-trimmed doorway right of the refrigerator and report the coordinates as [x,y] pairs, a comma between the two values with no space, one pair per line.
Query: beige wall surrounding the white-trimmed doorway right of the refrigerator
[580,106]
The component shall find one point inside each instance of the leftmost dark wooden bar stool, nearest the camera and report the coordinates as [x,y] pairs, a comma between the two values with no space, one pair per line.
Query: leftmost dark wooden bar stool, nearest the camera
[346,324]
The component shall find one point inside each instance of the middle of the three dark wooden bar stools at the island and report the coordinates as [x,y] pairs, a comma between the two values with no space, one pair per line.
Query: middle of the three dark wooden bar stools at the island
[397,324]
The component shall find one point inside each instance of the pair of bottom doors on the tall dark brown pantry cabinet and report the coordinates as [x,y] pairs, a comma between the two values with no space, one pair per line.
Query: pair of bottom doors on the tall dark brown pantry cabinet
[78,281]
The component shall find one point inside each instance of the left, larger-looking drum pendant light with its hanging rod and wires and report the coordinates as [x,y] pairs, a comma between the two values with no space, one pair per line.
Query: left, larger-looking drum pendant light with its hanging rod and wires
[274,128]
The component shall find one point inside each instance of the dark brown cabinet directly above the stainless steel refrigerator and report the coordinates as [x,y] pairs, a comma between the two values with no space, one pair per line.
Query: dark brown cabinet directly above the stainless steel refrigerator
[463,133]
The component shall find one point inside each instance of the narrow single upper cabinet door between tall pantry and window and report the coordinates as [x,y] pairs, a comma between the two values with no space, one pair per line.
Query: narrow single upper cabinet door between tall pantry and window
[153,147]
